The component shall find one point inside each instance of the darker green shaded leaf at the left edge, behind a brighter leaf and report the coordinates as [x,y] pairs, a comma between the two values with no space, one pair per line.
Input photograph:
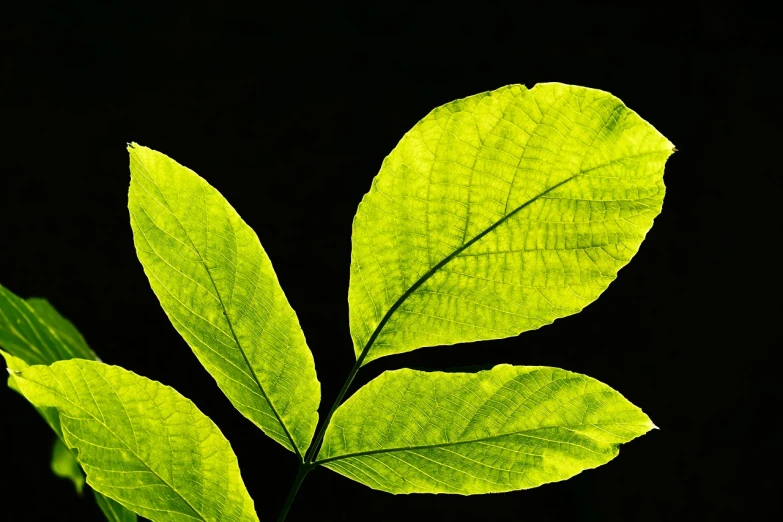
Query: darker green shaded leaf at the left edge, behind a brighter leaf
[33,331]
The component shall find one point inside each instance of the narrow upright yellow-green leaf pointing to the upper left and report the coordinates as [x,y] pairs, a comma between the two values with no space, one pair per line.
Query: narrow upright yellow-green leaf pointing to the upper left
[217,286]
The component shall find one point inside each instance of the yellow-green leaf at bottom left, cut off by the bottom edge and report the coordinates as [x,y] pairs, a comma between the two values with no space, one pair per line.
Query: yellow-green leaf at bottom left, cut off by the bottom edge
[141,443]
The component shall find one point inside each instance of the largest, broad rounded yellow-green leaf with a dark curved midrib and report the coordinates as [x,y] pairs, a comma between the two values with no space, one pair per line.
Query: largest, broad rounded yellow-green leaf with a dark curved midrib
[500,213]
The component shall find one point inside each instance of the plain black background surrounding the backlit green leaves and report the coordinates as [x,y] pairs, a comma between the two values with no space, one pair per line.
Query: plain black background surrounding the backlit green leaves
[289,111]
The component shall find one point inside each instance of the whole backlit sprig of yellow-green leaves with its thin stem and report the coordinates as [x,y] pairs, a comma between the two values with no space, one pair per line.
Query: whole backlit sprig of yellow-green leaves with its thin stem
[494,215]
